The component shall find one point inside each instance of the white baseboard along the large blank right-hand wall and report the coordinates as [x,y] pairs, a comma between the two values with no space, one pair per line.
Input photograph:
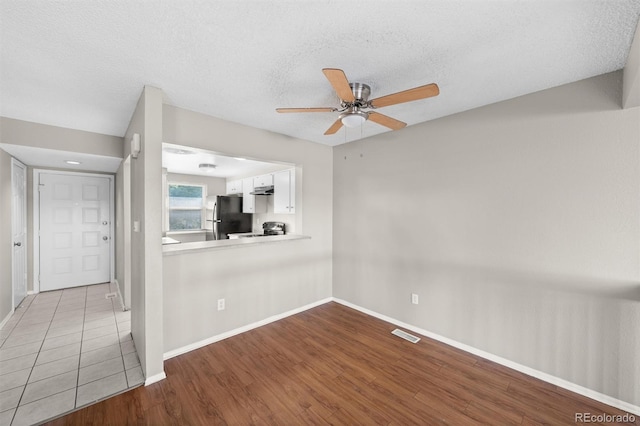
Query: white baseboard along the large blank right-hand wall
[565,384]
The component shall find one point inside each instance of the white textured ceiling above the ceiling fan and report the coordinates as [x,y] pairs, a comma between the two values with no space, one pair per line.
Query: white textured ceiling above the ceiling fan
[82,64]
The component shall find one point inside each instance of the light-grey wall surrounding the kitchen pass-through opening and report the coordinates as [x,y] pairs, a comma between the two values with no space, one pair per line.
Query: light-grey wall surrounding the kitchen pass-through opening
[263,280]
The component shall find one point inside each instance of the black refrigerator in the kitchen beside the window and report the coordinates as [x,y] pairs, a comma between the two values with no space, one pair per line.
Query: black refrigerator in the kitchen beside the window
[226,217]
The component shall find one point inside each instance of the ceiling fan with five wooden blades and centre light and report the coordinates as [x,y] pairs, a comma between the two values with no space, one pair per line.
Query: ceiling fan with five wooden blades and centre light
[354,100]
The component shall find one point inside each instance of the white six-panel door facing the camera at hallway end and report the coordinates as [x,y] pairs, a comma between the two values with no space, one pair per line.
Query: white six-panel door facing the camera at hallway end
[75,230]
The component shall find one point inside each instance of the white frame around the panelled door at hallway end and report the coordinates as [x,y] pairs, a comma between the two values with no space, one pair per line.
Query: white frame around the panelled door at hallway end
[36,220]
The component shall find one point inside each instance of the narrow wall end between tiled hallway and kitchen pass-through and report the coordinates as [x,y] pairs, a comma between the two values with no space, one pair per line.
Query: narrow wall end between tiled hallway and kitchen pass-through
[146,244]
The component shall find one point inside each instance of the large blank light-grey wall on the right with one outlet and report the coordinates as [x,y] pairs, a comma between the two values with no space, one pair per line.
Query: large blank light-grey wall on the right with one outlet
[517,225]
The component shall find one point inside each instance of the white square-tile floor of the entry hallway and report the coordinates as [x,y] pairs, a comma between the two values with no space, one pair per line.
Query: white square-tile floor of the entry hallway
[62,350]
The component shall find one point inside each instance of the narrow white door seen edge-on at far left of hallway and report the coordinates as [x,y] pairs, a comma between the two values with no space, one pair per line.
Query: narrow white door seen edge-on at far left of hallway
[19,230]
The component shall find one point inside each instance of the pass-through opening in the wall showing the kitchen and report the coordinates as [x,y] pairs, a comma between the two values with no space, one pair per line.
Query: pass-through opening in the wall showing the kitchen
[210,196]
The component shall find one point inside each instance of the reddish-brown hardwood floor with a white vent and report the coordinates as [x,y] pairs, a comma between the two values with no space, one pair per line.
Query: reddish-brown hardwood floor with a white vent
[335,365]
